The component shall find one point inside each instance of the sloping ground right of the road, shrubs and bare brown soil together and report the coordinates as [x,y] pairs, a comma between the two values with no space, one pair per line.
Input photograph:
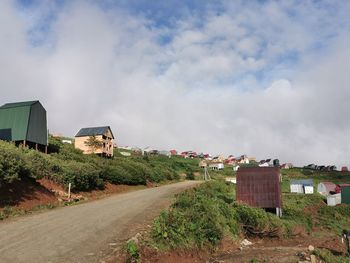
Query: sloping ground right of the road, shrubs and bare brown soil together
[207,224]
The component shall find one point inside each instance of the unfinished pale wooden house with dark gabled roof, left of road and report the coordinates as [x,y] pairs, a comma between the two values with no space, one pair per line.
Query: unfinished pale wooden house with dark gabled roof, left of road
[97,140]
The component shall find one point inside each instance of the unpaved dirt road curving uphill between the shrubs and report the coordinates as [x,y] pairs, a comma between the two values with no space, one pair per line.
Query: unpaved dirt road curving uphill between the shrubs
[86,232]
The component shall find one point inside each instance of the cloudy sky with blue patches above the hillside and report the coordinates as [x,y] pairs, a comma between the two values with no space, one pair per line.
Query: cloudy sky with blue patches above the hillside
[268,79]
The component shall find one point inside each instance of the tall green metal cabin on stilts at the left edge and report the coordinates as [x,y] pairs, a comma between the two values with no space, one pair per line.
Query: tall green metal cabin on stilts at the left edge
[24,122]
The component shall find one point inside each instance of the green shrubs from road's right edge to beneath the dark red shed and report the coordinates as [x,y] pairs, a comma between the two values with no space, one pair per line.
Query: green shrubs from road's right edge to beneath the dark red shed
[201,217]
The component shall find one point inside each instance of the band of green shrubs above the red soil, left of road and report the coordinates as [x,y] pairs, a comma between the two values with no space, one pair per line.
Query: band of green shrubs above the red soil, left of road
[65,165]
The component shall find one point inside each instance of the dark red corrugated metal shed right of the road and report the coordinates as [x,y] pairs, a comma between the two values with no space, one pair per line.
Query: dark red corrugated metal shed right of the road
[259,186]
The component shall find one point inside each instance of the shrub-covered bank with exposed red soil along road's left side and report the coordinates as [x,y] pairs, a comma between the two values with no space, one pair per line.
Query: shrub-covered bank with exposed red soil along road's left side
[28,176]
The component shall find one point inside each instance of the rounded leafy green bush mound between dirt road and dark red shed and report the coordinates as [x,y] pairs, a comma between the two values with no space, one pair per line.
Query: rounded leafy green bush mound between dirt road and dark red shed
[195,219]
